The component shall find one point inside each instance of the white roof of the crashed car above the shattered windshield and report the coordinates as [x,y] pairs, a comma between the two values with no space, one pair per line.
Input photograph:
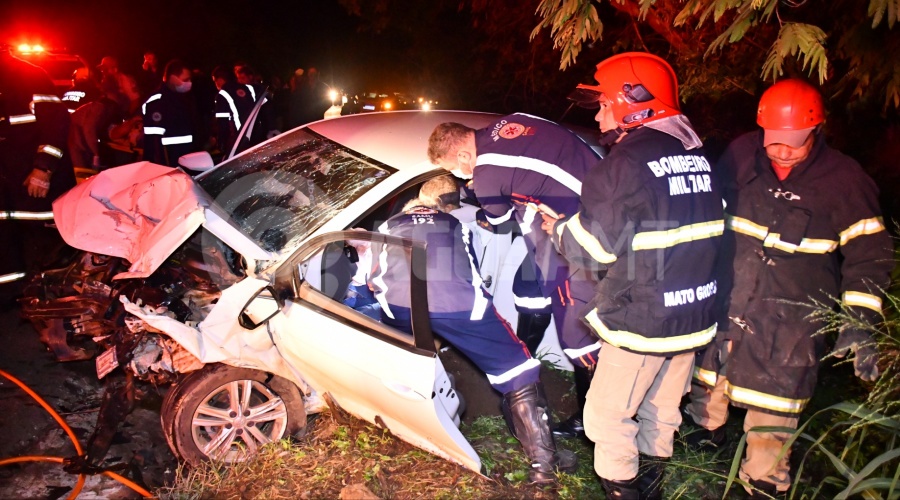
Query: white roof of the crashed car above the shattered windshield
[397,138]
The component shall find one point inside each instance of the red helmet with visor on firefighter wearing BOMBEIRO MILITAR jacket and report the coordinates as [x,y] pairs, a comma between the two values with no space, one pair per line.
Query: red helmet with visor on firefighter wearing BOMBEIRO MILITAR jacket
[641,87]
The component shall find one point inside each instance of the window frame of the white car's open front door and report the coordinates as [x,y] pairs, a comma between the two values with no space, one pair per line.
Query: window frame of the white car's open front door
[290,286]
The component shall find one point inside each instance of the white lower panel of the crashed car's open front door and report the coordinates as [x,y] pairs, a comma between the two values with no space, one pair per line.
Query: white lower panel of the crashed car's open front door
[378,382]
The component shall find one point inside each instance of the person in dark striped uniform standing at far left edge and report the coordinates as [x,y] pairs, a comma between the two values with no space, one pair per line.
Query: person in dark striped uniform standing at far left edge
[34,168]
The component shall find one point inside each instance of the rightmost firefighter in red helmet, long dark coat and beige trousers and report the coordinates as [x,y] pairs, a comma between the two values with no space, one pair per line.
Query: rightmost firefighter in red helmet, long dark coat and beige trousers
[803,225]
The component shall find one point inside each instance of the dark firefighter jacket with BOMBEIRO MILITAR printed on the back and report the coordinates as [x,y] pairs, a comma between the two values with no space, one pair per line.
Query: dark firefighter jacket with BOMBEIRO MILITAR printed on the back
[651,216]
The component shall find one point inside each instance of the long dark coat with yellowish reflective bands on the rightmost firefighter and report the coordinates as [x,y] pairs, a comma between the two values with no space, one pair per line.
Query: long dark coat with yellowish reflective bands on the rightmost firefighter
[818,235]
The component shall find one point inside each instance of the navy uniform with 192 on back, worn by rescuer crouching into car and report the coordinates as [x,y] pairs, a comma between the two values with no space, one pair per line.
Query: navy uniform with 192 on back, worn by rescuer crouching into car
[460,310]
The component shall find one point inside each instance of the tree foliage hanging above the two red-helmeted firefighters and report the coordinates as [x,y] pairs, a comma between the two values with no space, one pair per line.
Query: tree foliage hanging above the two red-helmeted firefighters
[843,42]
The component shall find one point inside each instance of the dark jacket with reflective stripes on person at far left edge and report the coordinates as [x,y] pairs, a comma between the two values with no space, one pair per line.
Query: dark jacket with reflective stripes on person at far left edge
[34,128]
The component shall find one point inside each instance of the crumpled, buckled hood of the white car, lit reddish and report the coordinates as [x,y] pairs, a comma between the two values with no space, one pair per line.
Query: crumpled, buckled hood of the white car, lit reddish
[140,212]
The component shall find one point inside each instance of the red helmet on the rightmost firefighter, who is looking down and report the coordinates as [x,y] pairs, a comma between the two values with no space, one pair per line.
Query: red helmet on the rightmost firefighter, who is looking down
[790,105]
